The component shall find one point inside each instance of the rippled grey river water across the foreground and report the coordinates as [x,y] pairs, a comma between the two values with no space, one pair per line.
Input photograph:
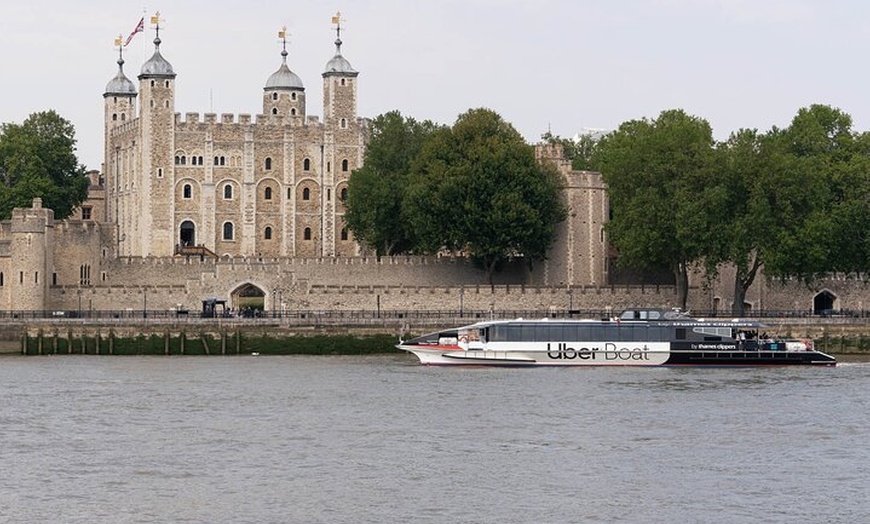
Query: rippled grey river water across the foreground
[290,439]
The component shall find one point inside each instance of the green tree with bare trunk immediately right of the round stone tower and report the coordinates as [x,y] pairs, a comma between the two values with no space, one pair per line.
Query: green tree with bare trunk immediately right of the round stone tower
[657,173]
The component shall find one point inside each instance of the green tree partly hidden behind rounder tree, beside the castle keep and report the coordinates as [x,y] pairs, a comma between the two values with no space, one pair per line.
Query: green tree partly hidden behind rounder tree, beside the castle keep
[376,191]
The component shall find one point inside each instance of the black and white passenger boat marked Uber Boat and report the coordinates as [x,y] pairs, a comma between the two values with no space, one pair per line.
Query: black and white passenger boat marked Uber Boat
[638,337]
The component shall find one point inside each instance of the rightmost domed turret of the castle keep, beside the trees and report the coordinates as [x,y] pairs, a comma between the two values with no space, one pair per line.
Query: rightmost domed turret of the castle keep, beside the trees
[341,146]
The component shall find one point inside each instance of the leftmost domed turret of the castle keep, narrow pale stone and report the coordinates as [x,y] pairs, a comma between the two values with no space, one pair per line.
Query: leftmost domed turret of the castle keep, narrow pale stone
[119,103]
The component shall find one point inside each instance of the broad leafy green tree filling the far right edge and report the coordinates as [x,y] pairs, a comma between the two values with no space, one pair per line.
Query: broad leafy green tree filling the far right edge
[793,200]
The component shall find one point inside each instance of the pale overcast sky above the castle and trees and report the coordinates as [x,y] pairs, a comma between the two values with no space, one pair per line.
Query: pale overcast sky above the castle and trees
[562,65]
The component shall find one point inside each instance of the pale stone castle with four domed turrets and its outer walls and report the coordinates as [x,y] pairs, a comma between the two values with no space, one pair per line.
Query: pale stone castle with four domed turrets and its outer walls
[240,209]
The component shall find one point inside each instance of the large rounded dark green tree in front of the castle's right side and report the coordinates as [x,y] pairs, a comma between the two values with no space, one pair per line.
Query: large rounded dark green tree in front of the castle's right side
[479,190]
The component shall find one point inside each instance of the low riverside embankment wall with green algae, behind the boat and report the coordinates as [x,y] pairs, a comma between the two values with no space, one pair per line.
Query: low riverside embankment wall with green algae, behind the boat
[229,336]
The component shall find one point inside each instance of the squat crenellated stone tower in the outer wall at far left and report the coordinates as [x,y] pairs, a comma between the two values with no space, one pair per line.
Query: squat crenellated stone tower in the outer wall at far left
[31,256]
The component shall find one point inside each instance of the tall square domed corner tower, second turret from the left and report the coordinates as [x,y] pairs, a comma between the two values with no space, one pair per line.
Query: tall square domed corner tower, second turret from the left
[152,229]
